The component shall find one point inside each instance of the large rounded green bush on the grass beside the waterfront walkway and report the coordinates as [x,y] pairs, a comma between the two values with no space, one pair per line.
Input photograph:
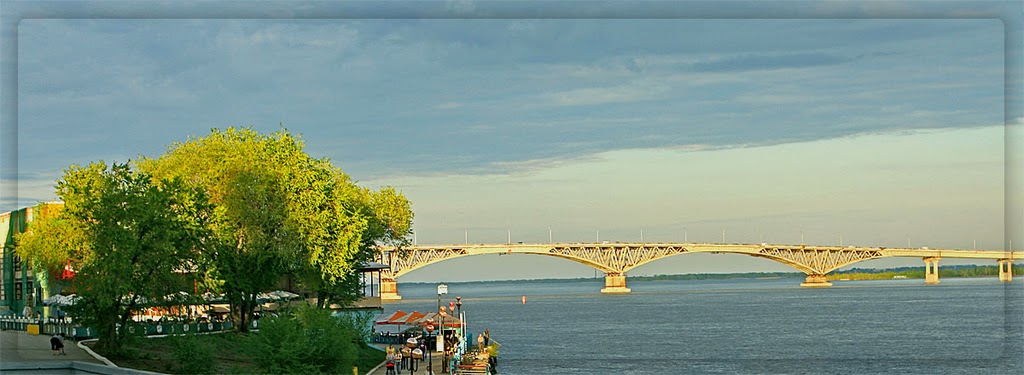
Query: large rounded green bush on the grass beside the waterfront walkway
[308,342]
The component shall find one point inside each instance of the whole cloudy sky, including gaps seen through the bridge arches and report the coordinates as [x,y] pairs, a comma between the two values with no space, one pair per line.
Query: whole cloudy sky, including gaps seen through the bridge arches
[857,123]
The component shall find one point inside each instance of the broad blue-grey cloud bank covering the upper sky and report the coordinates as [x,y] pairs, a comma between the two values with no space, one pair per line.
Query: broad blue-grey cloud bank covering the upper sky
[486,96]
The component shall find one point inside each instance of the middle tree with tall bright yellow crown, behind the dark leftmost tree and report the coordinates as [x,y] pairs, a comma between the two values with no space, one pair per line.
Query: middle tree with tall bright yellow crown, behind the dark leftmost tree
[248,178]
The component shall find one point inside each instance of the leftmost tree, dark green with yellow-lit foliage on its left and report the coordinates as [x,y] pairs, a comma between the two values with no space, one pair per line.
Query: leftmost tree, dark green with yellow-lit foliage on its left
[136,240]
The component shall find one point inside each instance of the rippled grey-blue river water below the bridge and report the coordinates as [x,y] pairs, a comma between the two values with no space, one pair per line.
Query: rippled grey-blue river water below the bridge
[745,326]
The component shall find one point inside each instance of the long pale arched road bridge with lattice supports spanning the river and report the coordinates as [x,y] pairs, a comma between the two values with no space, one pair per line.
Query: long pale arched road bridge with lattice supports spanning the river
[615,260]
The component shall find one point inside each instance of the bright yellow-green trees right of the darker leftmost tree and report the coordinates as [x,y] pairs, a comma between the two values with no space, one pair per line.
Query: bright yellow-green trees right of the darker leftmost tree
[281,213]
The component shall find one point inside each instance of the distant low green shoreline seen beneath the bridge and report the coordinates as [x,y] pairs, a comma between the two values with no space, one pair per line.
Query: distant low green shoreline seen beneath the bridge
[851,275]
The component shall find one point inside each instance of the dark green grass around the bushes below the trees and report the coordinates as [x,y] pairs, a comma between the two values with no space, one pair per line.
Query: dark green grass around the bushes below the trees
[230,352]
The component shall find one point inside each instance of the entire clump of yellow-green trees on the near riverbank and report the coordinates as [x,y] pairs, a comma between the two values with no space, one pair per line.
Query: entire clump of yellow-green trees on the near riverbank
[236,212]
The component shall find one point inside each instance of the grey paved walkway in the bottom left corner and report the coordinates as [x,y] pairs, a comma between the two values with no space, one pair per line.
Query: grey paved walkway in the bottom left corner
[21,347]
